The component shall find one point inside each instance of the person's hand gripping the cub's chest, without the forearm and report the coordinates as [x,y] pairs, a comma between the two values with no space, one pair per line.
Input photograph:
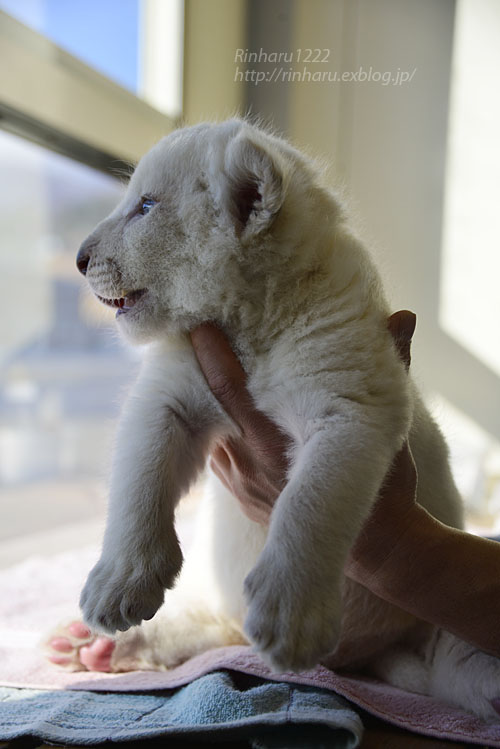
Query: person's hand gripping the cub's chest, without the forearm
[254,466]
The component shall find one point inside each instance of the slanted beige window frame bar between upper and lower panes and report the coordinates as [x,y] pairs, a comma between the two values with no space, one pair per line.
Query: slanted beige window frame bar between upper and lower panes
[57,107]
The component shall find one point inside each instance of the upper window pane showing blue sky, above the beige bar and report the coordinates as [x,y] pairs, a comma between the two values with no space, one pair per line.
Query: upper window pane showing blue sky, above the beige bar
[136,43]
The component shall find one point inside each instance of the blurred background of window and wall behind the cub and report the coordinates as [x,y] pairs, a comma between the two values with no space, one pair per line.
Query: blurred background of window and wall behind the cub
[399,97]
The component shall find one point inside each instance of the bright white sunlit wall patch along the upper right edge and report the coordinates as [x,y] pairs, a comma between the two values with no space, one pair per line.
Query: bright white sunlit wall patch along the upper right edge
[470,291]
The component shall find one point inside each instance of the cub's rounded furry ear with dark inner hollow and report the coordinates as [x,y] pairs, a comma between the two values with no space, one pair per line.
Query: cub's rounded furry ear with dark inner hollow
[254,189]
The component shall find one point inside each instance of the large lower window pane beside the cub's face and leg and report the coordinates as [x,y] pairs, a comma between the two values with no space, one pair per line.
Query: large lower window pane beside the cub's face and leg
[62,369]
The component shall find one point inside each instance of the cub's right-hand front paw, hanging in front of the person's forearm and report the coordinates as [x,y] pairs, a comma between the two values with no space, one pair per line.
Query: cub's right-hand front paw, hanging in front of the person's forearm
[293,620]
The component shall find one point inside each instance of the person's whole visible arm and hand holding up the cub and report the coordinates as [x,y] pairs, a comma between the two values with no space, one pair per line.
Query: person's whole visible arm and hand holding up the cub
[403,554]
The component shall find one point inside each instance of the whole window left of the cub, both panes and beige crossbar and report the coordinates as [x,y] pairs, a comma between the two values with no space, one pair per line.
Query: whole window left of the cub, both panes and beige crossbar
[63,370]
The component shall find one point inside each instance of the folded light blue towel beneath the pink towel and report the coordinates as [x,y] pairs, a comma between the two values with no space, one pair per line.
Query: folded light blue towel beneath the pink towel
[220,706]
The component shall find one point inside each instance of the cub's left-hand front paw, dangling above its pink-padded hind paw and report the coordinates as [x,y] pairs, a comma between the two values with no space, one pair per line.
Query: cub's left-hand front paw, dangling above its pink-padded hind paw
[120,593]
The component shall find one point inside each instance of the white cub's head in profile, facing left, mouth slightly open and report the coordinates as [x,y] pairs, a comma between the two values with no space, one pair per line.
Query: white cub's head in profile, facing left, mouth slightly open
[210,213]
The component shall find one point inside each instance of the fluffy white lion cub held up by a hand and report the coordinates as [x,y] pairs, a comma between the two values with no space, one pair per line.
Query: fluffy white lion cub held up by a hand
[224,222]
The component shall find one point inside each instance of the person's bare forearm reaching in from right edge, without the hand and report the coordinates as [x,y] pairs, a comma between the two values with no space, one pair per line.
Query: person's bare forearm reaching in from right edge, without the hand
[442,575]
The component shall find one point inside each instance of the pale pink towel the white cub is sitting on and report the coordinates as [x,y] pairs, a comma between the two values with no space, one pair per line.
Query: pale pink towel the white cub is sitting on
[40,592]
